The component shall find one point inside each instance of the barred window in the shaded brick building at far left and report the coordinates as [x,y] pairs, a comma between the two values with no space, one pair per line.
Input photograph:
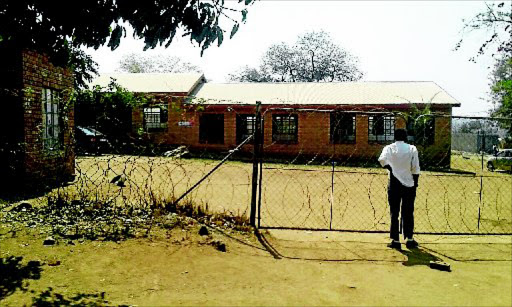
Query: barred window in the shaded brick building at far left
[52,137]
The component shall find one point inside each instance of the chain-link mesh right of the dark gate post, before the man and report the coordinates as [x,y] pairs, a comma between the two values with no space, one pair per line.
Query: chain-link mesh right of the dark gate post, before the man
[329,178]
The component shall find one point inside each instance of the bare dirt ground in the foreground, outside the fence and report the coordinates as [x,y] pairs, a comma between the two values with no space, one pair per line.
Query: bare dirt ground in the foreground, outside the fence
[179,267]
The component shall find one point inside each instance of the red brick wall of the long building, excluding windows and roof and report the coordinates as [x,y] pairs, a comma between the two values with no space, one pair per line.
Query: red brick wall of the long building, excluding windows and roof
[313,133]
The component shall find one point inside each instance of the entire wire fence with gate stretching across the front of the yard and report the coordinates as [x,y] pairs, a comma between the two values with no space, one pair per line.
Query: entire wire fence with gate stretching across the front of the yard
[305,169]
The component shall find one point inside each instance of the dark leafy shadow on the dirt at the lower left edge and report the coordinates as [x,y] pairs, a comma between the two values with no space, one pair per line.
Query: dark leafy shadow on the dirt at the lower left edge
[14,274]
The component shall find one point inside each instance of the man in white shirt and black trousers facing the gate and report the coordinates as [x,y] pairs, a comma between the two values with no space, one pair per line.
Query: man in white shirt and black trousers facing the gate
[401,160]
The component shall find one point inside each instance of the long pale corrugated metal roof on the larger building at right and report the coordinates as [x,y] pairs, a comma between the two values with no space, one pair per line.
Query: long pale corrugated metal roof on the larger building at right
[339,93]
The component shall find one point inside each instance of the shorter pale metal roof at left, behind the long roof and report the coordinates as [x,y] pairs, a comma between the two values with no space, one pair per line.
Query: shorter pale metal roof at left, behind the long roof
[153,82]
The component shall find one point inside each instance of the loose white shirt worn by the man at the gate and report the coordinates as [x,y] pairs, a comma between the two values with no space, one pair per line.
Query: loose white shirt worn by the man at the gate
[403,159]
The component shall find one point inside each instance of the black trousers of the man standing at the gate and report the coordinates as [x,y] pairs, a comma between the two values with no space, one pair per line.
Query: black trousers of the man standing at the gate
[400,194]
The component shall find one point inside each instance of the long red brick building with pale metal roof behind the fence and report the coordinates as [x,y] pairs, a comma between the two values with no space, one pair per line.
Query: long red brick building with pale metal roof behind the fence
[339,120]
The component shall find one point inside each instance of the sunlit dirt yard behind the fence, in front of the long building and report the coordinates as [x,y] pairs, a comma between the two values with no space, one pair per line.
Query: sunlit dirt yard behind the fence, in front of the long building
[309,196]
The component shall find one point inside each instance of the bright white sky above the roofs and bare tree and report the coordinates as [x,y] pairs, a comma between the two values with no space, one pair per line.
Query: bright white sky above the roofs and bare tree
[393,40]
